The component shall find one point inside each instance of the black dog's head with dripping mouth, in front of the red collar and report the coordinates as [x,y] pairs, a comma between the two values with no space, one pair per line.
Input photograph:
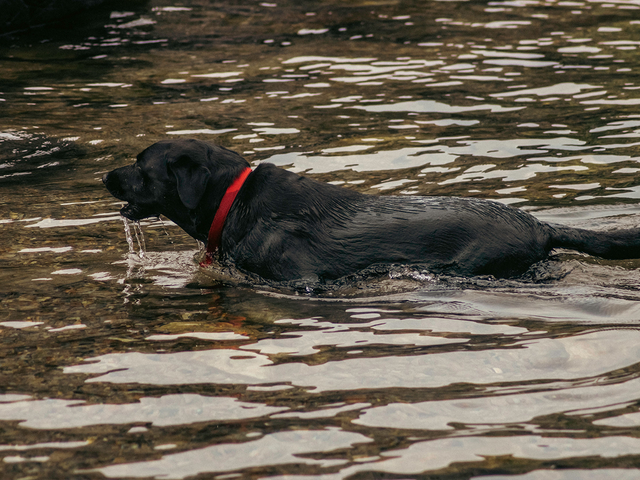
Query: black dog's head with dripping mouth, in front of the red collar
[183,180]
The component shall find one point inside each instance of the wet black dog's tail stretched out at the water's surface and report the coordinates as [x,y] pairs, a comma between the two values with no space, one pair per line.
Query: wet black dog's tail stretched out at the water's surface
[615,244]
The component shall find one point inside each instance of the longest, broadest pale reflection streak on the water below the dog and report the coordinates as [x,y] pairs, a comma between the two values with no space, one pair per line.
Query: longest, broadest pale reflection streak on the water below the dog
[561,359]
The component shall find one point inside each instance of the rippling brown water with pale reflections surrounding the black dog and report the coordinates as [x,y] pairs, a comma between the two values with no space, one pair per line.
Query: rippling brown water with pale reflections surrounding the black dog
[126,360]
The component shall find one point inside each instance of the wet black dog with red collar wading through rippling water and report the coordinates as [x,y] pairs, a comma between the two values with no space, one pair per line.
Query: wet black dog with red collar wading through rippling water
[286,227]
